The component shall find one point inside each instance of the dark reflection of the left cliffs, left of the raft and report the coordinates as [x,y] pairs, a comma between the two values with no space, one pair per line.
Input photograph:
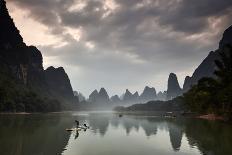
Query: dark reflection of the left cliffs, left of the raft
[33,134]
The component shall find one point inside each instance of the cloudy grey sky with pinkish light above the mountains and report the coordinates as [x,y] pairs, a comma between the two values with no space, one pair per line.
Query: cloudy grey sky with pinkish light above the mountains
[122,44]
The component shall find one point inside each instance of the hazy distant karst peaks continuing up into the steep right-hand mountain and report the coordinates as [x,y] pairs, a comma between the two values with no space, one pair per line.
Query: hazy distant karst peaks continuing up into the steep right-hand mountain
[205,69]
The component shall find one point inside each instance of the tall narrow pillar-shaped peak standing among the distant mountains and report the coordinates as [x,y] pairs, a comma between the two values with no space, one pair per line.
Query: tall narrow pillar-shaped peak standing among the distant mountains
[174,89]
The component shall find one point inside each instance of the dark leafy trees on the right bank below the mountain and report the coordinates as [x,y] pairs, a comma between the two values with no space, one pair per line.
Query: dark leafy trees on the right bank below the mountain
[214,95]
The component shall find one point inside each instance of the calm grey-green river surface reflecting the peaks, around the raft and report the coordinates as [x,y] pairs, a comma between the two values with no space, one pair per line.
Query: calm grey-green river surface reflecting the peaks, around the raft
[112,135]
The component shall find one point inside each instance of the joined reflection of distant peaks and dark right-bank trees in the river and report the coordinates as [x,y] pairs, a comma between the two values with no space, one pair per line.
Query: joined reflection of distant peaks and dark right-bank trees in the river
[208,137]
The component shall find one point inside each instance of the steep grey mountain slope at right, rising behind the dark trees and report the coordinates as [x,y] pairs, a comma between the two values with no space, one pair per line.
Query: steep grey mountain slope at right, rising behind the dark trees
[207,67]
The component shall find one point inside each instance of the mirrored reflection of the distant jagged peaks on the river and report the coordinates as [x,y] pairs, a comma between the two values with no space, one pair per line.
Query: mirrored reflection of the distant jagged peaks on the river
[150,126]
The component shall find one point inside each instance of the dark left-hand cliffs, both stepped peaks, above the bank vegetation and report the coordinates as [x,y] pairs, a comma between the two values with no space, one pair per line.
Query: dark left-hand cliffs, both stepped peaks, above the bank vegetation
[25,63]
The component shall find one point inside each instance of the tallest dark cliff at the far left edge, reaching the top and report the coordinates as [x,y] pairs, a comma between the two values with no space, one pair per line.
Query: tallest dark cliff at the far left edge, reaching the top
[22,60]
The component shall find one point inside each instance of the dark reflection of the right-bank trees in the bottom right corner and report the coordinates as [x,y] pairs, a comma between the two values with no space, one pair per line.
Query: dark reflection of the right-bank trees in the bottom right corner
[210,137]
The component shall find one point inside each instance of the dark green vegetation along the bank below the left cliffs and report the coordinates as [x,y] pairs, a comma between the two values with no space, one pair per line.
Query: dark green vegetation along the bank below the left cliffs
[16,97]
